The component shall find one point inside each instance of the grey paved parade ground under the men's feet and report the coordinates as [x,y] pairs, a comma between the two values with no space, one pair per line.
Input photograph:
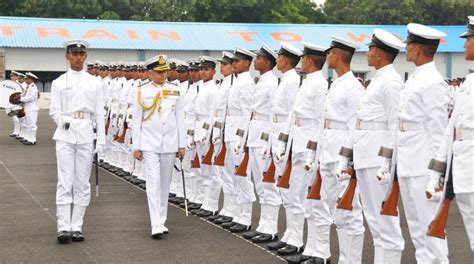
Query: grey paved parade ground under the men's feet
[117,225]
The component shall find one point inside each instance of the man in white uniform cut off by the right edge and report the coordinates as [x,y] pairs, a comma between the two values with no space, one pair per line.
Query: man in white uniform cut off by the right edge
[461,125]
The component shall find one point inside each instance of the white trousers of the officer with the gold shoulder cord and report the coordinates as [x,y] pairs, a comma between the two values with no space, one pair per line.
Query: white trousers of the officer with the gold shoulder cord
[158,168]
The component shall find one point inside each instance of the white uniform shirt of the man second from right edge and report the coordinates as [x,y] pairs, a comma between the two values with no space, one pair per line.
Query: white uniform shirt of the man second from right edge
[424,100]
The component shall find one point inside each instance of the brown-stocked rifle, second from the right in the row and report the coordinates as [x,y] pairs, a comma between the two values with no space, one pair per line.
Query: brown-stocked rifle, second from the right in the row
[390,203]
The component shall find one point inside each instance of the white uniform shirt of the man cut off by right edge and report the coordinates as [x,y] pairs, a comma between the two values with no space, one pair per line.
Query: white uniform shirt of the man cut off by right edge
[461,120]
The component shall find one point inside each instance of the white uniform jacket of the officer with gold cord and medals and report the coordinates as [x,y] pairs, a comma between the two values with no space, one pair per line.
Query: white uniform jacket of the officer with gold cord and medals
[164,131]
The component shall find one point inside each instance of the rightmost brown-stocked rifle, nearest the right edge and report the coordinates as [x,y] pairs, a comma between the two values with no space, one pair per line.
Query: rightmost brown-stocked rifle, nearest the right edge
[437,227]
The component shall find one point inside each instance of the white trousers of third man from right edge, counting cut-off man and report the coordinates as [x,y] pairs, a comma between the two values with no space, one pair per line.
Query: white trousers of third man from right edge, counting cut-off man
[385,229]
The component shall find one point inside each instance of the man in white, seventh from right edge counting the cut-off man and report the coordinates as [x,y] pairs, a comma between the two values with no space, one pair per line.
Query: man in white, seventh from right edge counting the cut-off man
[260,123]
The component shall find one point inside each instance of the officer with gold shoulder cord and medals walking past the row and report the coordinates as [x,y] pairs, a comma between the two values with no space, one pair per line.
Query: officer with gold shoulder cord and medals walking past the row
[158,137]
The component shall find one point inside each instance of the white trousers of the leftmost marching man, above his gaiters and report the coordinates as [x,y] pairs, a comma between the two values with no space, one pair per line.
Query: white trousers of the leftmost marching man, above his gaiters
[74,163]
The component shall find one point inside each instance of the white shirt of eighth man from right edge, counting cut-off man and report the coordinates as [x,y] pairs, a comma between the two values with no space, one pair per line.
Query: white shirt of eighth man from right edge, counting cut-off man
[240,99]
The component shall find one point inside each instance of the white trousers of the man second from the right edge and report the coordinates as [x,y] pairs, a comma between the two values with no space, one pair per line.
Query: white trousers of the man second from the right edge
[419,213]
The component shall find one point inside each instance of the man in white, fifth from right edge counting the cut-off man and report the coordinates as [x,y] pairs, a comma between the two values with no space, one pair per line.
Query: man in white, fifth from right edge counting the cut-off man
[305,120]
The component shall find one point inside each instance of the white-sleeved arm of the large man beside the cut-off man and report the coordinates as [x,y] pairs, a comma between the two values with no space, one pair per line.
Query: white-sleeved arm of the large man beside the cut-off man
[436,99]
